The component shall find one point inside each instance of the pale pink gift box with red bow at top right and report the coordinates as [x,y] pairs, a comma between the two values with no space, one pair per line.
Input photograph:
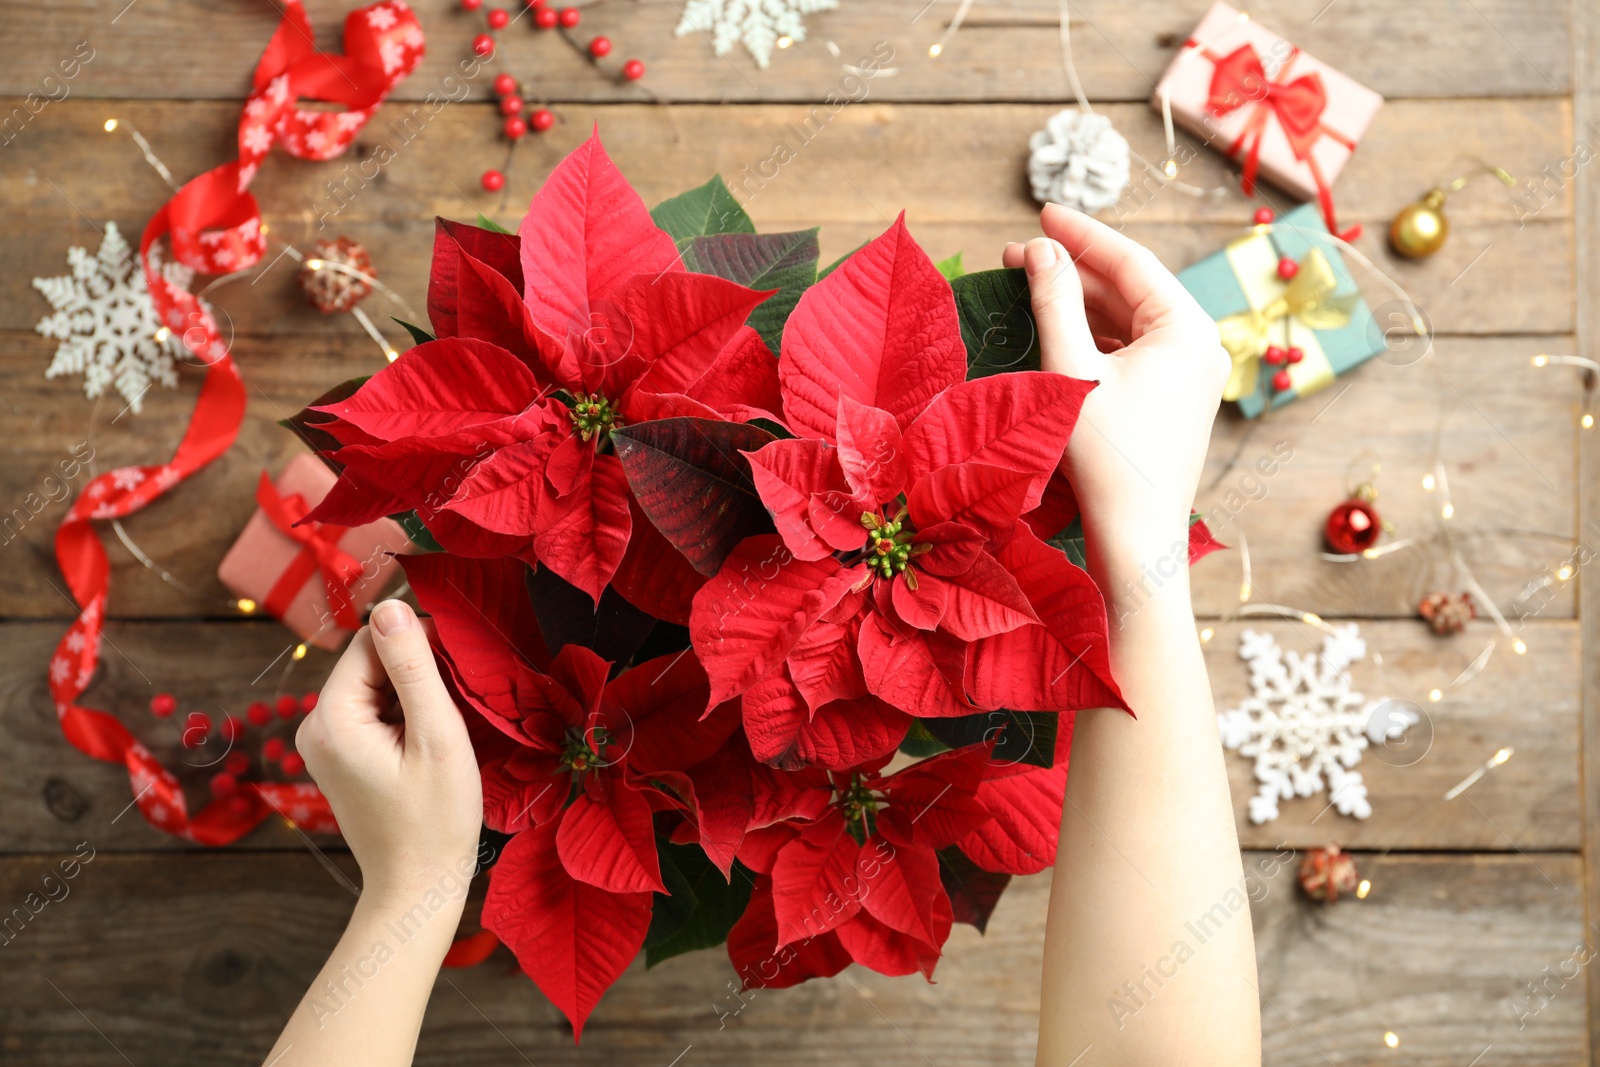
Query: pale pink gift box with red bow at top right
[1278,111]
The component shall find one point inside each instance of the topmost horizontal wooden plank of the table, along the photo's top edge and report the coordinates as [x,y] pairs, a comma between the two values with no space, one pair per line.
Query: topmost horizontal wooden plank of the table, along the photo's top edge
[1009,50]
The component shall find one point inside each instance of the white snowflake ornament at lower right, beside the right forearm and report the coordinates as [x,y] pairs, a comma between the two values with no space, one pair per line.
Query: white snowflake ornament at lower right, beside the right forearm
[1305,725]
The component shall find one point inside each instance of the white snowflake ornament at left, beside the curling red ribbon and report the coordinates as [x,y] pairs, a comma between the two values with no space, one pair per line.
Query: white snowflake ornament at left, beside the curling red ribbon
[106,322]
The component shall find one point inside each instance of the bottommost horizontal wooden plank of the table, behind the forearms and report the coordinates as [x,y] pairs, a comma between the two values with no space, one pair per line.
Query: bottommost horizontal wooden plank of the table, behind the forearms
[225,946]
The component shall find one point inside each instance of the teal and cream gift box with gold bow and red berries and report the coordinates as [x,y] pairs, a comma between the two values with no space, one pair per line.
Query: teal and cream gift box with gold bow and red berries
[1318,314]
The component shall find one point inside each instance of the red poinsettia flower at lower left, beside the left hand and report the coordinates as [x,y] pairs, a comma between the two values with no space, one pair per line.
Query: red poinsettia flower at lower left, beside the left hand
[572,769]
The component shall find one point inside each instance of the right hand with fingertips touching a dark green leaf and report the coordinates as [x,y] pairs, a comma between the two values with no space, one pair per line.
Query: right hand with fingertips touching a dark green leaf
[1137,455]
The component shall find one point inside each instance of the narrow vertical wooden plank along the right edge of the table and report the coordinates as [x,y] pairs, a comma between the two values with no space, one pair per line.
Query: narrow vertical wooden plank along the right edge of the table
[1586,110]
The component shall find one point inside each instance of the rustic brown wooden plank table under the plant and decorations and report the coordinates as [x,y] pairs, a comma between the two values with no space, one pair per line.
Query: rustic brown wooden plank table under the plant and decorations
[166,954]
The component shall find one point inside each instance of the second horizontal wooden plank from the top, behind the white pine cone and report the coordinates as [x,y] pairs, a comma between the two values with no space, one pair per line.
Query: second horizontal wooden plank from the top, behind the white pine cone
[1500,273]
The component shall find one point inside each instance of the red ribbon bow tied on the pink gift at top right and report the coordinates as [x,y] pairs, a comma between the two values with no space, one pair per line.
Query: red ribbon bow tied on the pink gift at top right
[1239,79]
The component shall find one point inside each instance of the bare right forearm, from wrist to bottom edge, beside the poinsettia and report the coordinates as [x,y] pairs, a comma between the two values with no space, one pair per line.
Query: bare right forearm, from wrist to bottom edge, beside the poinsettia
[1150,956]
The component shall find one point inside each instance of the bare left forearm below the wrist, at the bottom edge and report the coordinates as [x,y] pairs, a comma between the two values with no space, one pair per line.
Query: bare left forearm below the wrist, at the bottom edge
[367,1004]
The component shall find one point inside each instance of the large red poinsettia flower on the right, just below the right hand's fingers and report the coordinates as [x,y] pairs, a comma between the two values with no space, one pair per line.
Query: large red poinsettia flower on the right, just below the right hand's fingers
[902,581]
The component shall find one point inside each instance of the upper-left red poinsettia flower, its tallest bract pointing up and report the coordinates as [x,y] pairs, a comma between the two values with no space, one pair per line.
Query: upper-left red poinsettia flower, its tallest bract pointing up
[498,433]
